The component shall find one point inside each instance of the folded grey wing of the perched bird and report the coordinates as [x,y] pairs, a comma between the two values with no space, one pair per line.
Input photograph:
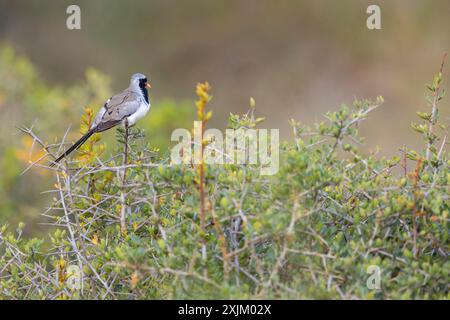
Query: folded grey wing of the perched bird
[116,109]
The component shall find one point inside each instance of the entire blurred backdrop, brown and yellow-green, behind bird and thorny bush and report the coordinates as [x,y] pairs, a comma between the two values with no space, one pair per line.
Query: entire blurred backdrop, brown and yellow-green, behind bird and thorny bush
[298,59]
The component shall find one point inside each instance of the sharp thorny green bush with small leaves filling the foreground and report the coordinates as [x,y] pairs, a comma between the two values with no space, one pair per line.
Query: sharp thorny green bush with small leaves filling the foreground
[203,231]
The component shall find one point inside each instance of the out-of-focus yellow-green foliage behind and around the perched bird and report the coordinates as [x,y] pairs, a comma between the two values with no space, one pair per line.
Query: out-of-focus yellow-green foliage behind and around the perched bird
[26,99]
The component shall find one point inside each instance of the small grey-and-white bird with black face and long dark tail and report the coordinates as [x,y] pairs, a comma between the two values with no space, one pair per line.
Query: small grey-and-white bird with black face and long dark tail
[125,108]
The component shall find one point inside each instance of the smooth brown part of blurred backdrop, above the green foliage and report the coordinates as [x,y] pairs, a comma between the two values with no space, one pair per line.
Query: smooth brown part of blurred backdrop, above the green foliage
[297,58]
